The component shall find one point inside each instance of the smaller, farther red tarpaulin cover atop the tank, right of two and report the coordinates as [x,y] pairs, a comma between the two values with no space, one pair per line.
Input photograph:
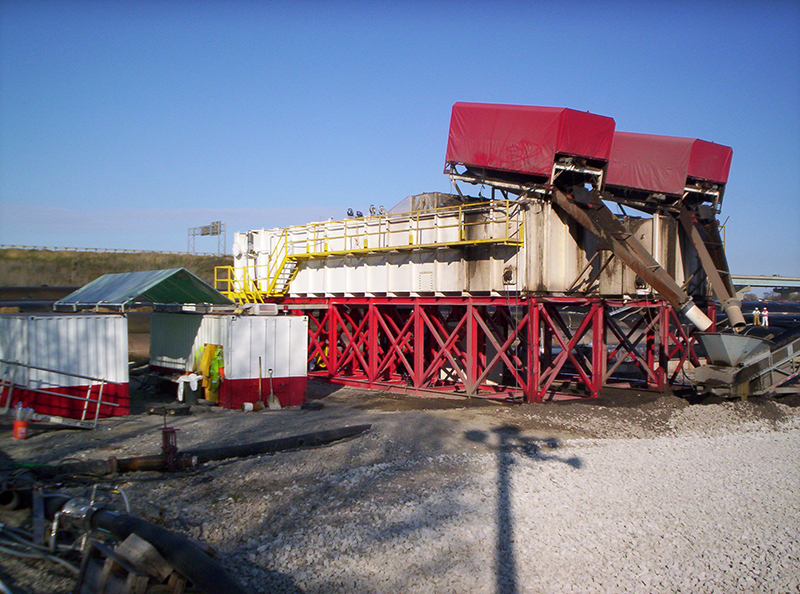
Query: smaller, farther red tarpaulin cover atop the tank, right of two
[662,163]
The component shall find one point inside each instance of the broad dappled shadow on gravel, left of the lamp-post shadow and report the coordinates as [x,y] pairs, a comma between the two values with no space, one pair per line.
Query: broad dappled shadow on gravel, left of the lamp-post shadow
[315,515]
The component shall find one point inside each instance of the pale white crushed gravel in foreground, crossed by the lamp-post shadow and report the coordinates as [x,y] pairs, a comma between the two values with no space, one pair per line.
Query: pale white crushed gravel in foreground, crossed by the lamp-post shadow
[716,514]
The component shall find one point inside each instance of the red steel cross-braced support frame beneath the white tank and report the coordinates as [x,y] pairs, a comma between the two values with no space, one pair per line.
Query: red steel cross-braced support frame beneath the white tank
[529,349]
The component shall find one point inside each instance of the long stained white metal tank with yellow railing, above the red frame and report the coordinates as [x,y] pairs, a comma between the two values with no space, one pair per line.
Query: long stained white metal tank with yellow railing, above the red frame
[491,248]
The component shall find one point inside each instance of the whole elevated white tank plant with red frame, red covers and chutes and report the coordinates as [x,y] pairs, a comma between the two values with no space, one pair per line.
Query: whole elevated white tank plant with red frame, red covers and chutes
[538,291]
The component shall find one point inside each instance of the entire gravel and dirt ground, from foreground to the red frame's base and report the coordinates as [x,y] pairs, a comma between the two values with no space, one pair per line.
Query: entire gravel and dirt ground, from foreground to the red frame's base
[631,493]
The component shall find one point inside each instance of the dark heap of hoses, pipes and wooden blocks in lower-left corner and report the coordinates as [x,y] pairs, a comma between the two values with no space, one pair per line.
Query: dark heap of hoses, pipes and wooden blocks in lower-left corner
[105,551]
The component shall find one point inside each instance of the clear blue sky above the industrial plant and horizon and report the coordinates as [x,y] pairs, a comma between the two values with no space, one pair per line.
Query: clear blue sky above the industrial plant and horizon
[124,123]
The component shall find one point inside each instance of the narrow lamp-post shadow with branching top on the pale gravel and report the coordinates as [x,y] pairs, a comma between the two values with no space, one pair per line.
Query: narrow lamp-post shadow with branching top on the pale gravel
[511,444]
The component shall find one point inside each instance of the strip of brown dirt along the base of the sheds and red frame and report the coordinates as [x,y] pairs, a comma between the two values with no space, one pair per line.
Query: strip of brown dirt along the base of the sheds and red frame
[618,413]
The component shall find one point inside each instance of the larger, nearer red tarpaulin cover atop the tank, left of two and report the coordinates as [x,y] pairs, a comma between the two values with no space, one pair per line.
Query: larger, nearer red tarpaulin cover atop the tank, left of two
[523,138]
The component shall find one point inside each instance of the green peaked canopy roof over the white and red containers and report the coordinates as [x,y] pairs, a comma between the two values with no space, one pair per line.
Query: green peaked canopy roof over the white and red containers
[172,286]
